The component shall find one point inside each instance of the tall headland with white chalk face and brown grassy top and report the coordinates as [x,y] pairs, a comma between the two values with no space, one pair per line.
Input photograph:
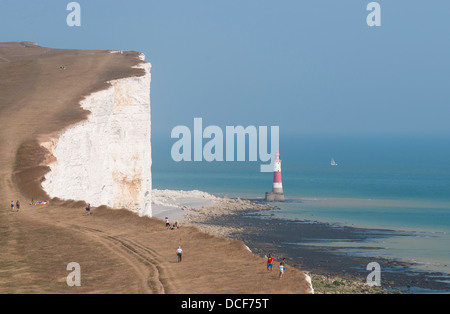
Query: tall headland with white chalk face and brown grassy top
[87,132]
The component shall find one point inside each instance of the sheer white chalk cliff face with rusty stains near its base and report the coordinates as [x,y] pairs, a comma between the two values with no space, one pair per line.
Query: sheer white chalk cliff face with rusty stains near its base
[106,159]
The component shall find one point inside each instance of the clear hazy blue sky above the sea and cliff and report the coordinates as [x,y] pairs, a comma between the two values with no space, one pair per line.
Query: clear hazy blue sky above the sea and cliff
[310,67]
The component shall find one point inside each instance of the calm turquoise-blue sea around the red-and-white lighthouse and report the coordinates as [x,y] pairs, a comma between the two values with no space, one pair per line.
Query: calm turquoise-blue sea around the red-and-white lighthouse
[397,183]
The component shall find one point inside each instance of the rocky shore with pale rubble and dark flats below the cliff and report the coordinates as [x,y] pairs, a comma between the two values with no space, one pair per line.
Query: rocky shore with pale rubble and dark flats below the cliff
[254,222]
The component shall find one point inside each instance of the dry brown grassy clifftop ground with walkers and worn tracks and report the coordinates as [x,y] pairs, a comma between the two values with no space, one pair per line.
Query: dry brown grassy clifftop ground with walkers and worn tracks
[118,251]
